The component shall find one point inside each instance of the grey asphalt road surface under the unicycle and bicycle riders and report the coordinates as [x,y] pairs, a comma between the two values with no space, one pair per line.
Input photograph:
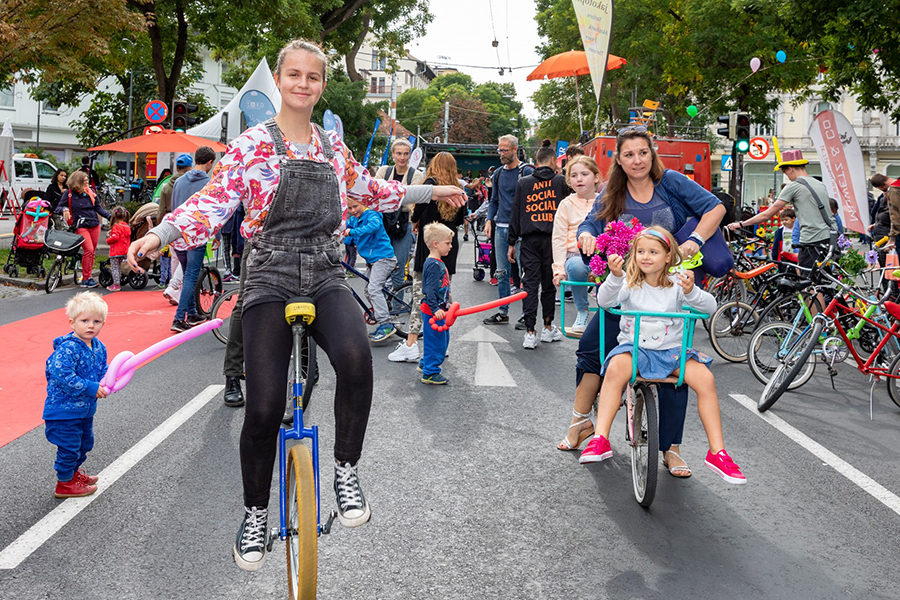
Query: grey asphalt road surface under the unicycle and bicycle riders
[470,498]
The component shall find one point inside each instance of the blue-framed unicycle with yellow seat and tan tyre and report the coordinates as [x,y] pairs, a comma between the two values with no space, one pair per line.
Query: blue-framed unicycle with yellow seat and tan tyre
[300,510]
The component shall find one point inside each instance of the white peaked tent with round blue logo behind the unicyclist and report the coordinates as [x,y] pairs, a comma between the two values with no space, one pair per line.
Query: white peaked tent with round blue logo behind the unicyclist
[258,100]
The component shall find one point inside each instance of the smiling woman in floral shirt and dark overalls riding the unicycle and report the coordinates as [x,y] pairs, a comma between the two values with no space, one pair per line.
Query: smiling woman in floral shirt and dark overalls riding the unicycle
[293,179]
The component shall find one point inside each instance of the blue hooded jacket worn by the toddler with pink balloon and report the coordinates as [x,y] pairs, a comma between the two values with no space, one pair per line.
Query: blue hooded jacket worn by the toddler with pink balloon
[73,373]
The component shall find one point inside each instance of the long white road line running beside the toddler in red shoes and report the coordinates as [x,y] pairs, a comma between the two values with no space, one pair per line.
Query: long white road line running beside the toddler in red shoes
[43,530]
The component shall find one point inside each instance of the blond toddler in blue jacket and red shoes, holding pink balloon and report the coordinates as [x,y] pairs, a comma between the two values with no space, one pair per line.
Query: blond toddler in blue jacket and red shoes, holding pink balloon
[74,372]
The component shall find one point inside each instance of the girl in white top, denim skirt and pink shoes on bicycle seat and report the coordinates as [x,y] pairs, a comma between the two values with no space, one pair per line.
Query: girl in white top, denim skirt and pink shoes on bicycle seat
[647,285]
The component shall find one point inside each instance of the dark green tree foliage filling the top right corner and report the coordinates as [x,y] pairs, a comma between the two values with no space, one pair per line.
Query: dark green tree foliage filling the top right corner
[859,46]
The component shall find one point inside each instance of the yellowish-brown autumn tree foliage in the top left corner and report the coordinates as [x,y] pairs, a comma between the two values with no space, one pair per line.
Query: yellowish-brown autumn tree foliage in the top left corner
[53,40]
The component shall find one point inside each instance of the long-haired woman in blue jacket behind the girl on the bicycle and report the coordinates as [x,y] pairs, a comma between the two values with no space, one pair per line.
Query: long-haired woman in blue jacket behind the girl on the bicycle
[639,187]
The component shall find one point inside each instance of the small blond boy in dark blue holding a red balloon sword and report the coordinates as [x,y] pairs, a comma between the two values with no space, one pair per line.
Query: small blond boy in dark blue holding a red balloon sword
[436,289]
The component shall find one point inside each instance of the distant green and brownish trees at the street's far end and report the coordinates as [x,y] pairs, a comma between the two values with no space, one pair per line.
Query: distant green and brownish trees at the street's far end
[478,113]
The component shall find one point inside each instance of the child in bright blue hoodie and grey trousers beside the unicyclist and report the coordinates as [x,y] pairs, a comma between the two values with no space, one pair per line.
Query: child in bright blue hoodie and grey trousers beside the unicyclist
[365,228]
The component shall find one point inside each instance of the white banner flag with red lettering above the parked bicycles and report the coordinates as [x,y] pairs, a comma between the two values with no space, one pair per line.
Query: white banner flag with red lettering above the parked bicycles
[843,170]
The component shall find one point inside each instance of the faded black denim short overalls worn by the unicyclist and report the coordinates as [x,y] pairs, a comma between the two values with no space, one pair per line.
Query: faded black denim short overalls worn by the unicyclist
[297,253]
